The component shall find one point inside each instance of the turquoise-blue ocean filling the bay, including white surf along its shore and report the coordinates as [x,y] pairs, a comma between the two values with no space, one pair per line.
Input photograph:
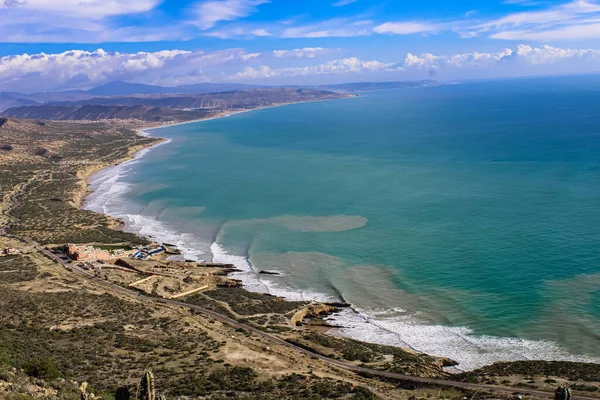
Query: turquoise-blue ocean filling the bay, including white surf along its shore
[458,220]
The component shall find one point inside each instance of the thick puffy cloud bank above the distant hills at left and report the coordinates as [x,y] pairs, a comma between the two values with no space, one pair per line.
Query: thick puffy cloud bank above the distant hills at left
[77,68]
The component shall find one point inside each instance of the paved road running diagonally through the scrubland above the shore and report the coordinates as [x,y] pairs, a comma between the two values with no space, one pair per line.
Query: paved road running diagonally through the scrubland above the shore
[277,340]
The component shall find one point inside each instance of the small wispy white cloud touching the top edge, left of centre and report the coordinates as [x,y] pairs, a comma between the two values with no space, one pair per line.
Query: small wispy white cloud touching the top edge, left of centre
[210,13]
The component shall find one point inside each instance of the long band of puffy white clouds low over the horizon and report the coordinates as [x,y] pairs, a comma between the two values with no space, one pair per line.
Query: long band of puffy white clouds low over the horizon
[77,69]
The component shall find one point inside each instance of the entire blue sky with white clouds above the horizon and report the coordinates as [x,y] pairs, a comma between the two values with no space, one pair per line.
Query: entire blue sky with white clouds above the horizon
[48,45]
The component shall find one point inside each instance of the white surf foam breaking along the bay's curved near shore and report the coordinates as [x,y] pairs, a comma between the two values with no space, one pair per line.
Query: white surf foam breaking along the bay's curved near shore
[371,325]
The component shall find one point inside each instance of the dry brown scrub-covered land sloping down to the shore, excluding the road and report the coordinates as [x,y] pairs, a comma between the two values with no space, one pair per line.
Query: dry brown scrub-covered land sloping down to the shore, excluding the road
[58,329]
